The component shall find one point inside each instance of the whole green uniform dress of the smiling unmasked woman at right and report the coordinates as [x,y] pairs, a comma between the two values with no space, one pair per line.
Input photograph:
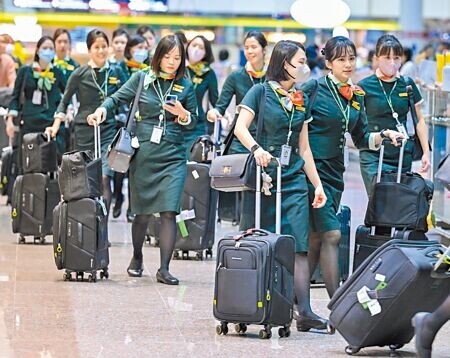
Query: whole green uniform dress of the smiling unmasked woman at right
[327,141]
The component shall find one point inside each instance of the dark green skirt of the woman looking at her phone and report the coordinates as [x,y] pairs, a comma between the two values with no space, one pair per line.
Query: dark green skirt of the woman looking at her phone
[157,176]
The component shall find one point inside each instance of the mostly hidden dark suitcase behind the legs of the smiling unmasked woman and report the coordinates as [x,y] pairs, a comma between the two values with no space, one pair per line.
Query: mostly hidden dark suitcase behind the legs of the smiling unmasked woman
[344,217]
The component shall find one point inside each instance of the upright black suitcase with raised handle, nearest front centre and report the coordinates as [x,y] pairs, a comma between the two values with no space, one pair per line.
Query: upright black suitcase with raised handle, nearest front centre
[254,279]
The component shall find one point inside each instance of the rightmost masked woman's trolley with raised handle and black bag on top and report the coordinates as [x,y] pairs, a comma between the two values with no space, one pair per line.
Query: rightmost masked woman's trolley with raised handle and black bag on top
[397,209]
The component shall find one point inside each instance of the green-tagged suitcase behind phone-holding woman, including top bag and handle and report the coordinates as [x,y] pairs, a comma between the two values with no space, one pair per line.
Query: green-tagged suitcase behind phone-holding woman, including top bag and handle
[198,200]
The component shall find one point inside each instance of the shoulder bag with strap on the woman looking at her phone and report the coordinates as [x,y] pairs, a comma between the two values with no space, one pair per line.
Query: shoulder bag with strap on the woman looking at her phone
[121,150]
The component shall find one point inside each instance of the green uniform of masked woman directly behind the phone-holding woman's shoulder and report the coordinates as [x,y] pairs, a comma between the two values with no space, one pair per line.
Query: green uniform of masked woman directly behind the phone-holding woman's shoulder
[204,82]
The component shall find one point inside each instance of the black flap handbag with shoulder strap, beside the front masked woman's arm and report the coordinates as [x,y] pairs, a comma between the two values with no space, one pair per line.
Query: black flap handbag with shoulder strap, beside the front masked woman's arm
[237,172]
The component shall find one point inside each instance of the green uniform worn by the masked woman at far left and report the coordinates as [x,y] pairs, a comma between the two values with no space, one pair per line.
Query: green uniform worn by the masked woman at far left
[38,115]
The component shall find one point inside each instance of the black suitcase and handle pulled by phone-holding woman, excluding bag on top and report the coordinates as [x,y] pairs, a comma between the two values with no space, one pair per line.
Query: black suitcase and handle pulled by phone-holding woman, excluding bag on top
[80,235]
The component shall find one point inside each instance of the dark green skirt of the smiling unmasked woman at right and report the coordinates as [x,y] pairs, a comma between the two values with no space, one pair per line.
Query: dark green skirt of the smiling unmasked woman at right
[331,173]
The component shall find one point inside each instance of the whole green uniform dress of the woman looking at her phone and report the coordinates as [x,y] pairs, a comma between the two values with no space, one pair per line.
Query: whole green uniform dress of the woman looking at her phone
[157,171]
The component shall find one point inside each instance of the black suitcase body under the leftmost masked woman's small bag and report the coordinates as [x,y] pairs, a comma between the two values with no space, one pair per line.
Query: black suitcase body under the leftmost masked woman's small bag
[33,200]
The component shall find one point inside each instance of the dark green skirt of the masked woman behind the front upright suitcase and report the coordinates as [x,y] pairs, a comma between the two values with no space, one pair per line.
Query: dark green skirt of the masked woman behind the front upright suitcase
[294,205]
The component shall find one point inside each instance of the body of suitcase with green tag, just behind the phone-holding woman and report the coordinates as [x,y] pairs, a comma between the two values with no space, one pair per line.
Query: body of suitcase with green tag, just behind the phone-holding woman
[199,200]
